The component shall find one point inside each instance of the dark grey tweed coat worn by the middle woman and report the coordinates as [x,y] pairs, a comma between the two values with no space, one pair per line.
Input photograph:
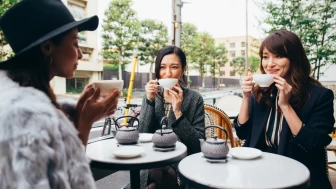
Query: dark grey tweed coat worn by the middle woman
[189,127]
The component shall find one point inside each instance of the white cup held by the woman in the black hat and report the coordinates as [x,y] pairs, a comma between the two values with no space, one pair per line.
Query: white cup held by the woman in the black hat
[106,86]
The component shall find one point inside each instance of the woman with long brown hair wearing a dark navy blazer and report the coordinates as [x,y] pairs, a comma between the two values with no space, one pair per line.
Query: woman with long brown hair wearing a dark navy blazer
[294,116]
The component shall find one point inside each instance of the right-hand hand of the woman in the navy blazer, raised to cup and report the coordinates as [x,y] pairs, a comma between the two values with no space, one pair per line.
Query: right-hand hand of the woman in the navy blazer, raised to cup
[284,90]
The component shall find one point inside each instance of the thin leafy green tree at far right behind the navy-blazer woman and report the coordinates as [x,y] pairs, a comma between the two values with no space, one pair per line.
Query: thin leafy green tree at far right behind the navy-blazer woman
[320,36]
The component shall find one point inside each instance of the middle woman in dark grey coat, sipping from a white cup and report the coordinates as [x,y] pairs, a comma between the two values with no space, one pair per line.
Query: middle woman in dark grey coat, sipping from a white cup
[183,107]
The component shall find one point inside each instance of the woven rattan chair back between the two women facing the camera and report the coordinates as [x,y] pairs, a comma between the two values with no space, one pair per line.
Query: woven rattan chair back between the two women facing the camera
[221,119]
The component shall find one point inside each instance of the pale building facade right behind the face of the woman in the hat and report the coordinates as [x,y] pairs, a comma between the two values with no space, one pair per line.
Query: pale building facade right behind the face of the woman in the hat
[90,67]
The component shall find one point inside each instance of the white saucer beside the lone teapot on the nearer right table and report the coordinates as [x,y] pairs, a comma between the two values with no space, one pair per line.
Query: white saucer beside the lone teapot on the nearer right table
[245,153]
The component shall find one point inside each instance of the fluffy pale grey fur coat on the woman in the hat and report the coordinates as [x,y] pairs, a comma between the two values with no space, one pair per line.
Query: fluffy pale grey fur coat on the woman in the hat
[39,146]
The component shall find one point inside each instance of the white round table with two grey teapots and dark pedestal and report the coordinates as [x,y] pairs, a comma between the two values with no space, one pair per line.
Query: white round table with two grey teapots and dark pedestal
[100,154]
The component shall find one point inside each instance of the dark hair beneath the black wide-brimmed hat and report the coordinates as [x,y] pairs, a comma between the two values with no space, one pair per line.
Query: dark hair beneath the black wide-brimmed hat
[32,69]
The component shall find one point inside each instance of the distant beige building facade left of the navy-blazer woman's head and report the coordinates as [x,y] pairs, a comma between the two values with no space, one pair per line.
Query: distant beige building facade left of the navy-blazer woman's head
[236,46]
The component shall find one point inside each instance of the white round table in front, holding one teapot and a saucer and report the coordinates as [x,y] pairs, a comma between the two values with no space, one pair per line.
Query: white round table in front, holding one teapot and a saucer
[267,171]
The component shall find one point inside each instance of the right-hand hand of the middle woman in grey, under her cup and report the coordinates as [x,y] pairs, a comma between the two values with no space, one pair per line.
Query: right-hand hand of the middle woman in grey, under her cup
[176,100]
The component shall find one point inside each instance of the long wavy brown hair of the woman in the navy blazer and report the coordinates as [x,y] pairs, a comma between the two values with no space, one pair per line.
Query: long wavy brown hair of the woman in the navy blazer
[287,44]
